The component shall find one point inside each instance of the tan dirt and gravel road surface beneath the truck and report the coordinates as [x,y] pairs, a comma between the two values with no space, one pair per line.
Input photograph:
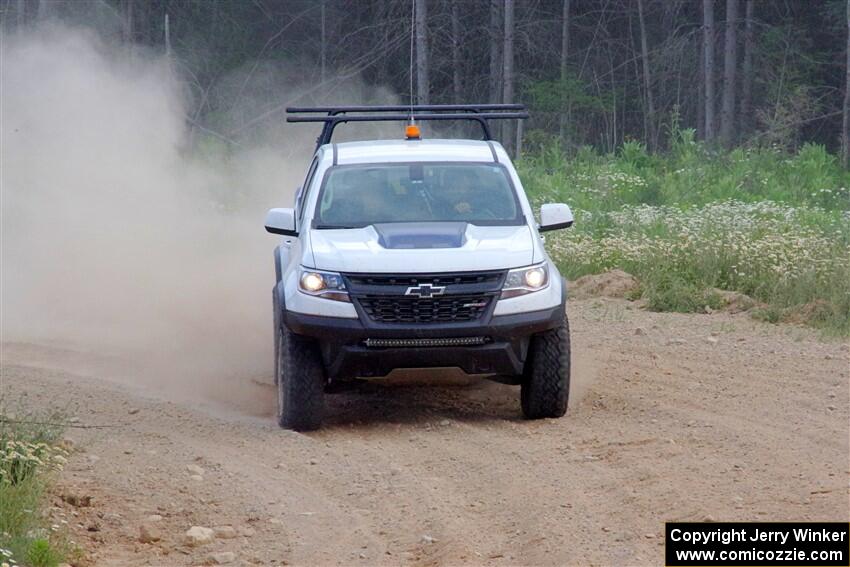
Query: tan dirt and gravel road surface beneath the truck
[672,417]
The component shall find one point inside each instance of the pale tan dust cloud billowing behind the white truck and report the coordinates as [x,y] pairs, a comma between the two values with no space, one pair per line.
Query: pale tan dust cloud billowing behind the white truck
[117,237]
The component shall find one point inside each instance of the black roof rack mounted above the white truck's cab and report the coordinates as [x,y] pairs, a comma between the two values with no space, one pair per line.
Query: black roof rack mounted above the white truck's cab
[334,115]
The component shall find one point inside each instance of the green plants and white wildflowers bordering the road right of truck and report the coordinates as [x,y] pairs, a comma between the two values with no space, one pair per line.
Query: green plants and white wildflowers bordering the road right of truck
[694,222]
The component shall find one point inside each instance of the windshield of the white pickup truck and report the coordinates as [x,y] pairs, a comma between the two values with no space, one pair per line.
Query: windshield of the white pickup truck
[357,196]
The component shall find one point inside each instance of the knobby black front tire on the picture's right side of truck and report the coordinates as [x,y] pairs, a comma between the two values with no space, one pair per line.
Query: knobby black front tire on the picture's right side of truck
[546,379]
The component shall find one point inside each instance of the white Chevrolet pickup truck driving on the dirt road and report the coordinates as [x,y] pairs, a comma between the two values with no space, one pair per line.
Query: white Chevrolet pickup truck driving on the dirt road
[415,253]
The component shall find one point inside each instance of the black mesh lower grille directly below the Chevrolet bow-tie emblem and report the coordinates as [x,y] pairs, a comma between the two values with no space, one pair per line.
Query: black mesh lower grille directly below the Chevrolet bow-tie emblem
[444,309]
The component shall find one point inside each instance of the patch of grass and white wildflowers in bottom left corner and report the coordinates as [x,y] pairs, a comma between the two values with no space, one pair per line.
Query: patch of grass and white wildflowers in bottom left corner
[30,454]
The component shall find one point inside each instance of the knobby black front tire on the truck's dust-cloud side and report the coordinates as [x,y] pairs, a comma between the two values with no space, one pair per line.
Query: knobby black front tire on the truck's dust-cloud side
[300,383]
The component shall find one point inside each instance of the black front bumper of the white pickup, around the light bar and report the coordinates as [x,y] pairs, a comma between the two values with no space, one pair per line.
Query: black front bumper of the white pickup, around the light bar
[346,356]
